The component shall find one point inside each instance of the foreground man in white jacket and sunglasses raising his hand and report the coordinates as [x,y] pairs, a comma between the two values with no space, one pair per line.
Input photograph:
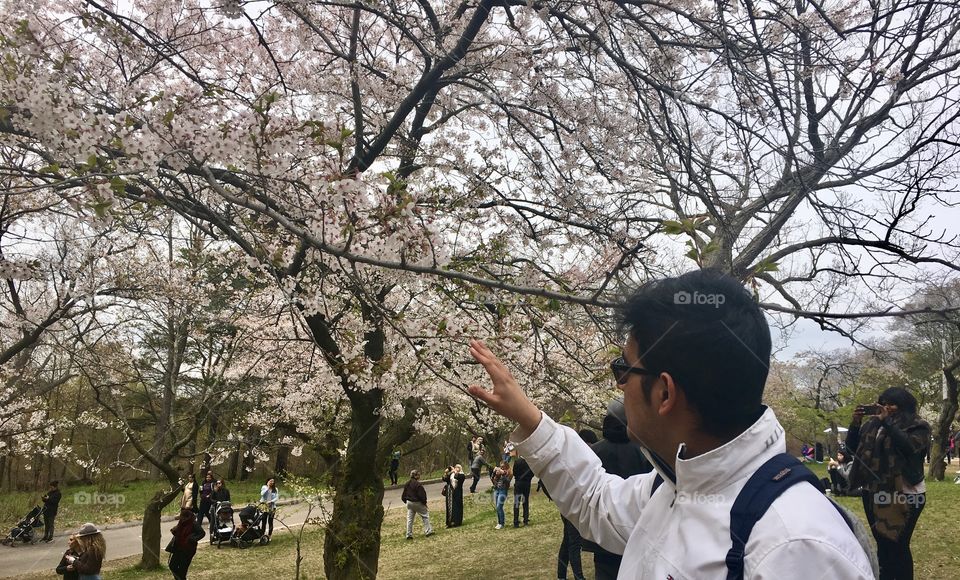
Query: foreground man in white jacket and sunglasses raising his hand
[692,374]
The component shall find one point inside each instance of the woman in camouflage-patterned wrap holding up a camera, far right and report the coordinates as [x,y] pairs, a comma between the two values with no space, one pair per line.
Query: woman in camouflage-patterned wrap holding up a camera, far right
[888,465]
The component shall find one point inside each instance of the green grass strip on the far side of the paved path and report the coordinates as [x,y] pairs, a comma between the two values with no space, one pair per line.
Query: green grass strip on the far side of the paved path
[112,504]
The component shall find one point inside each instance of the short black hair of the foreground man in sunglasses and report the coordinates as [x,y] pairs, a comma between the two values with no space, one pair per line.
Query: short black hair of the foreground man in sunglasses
[707,331]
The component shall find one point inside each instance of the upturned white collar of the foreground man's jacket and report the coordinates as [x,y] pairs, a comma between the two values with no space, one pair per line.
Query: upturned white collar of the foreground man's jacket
[734,460]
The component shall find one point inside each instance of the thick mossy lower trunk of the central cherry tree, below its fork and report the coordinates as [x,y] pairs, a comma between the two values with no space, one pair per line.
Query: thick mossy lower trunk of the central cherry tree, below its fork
[352,541]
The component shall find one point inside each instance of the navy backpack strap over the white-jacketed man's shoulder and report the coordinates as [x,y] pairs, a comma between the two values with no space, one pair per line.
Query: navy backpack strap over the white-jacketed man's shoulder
[774,477]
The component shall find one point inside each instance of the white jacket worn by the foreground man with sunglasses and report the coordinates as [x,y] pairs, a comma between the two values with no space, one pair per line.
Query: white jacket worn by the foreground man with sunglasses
[683,530]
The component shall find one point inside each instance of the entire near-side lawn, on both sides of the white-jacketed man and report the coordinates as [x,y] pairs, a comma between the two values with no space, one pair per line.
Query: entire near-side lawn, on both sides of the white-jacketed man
[477,550]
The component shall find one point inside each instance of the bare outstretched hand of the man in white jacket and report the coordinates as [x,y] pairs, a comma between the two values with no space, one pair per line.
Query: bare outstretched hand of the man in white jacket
[506,398]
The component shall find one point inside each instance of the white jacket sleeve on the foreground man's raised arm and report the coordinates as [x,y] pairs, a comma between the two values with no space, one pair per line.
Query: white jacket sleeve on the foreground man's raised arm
[604,508]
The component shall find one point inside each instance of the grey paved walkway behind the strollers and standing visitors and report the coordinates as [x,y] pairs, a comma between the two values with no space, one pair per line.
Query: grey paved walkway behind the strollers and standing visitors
[123,540]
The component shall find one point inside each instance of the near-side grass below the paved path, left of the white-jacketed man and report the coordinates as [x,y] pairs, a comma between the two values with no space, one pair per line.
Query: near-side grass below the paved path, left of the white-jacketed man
[474,550]
